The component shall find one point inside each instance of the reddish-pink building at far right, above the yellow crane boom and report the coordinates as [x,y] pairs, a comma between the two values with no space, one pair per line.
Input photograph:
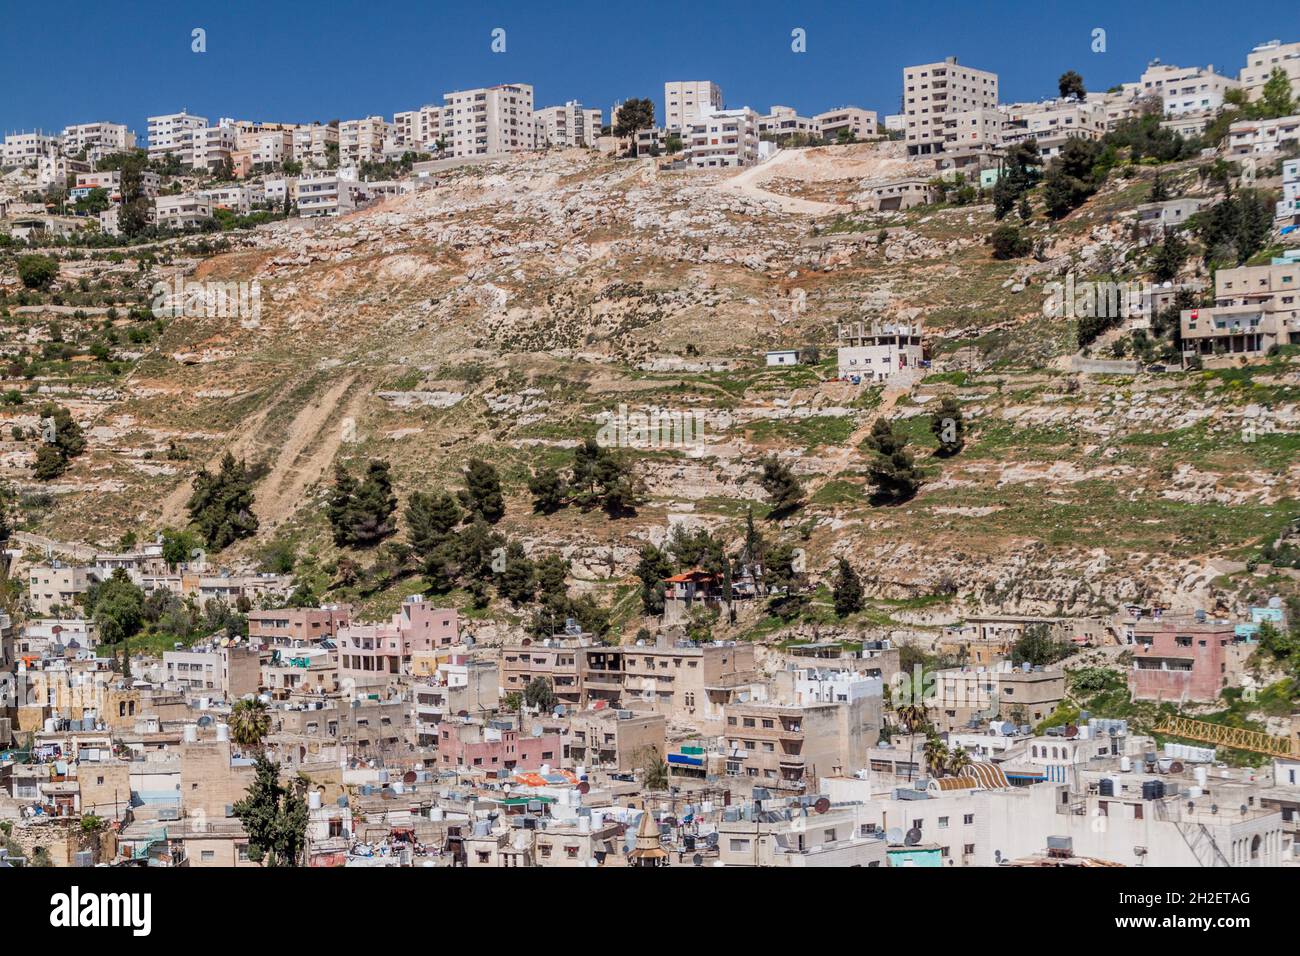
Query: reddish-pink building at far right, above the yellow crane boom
[1182,660]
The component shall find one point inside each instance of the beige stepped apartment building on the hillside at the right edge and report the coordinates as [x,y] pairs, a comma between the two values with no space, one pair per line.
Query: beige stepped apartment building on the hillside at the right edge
[1255,309]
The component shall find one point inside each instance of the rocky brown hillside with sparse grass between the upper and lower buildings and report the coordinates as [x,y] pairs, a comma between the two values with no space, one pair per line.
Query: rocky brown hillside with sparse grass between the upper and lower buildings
[501,312]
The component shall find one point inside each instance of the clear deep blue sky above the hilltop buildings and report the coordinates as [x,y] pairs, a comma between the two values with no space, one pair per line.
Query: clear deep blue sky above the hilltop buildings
[294,62]
